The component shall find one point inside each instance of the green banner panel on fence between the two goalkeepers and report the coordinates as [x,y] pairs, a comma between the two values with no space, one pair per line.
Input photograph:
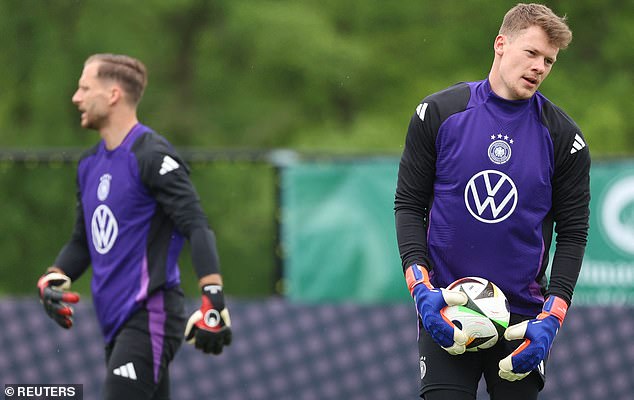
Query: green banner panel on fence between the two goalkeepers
[337,230]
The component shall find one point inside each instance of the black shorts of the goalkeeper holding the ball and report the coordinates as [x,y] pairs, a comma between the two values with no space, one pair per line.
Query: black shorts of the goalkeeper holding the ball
[441,371]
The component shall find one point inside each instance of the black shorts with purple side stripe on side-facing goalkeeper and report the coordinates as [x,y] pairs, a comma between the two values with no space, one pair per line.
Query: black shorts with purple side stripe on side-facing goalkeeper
[138,357]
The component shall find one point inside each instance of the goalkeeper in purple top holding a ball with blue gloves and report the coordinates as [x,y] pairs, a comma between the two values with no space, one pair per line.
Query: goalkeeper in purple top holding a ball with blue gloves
[488,170]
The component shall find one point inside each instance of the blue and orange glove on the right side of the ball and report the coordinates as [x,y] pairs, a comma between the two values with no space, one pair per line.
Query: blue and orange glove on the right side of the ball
[539,334]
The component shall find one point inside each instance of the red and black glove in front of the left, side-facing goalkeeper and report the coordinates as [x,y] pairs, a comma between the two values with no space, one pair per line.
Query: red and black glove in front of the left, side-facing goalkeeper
[53,289]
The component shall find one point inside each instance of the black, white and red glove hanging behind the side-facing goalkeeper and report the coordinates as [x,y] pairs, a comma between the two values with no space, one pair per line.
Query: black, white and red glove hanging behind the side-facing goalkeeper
[209,328]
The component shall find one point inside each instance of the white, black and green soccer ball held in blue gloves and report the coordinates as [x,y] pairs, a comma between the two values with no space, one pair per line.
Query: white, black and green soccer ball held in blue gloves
[486,315]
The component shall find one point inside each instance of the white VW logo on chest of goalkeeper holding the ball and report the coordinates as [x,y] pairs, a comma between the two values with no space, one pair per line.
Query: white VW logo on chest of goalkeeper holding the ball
[490,196]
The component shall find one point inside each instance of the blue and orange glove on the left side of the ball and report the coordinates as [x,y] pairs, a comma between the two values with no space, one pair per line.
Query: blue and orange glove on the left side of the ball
[429,301]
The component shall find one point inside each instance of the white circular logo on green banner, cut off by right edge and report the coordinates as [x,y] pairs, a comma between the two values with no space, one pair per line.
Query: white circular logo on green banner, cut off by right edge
[617,214]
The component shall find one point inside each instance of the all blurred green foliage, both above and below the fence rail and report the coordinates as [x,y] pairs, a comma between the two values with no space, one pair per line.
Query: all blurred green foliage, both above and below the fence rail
[319,77]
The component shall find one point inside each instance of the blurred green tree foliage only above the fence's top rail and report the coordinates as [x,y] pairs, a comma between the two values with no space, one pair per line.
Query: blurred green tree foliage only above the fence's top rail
[341,76]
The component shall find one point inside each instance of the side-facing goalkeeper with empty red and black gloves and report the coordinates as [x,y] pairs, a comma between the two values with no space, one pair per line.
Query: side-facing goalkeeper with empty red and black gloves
[135,207]
